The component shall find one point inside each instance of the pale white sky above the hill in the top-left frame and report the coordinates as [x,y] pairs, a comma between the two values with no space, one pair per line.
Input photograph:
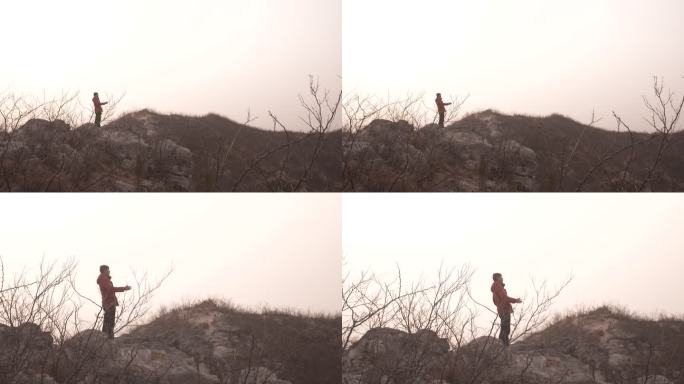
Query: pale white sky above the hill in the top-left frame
[194,57]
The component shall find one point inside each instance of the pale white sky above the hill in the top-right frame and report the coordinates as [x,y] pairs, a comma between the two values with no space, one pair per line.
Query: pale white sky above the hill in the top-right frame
[527,56]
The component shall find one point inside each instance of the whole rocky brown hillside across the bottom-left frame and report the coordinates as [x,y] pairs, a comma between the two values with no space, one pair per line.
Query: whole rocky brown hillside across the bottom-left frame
[205,343]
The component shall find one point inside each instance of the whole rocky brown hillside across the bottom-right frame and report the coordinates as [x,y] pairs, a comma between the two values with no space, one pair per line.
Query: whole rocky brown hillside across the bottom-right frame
[604,345]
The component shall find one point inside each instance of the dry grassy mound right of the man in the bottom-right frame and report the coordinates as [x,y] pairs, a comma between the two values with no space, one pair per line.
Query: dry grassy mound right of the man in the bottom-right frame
[652,343]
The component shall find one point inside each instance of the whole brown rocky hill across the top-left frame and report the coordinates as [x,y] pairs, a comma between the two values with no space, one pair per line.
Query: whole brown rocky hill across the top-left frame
[148,151]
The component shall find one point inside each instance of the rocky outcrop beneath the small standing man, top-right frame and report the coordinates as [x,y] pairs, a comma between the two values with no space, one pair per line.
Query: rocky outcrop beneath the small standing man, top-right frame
[388,155]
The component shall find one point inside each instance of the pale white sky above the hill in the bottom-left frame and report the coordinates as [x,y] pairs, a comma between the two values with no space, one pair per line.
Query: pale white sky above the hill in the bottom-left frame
[278,250]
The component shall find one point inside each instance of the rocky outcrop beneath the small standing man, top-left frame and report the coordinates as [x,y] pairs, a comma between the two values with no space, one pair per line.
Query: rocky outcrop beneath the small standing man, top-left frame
[45,155]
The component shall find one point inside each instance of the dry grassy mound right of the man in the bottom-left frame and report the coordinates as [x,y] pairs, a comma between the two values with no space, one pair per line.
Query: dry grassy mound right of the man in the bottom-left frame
[302,347]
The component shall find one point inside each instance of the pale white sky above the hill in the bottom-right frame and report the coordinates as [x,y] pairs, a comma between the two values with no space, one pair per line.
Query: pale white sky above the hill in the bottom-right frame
[621,249]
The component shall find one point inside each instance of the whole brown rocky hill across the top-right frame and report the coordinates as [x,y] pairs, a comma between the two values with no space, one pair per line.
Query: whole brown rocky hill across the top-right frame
[491,151]
